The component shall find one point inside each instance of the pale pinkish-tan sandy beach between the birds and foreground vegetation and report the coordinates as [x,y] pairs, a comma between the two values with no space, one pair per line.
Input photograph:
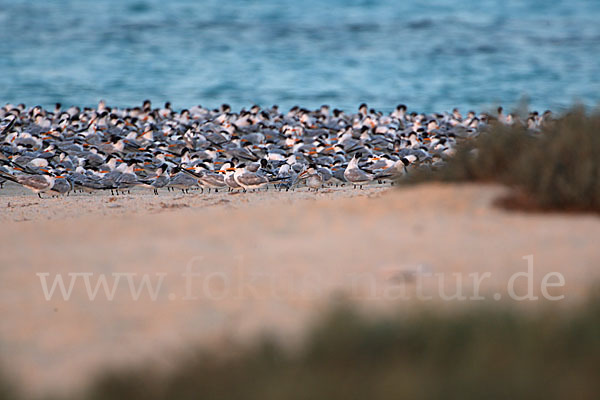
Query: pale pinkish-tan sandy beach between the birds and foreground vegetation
[264,262]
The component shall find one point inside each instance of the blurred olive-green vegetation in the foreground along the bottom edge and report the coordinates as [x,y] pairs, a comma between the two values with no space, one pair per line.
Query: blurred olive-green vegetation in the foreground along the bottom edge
[484,352]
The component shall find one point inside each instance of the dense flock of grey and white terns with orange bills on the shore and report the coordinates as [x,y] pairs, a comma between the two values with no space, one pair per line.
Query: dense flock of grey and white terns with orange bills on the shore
[115,149]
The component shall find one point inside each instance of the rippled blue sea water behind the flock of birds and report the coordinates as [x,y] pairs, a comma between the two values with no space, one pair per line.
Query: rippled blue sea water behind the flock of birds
[431,55]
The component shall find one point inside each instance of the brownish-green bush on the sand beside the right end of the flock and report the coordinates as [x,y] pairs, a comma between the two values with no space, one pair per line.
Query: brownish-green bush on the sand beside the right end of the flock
[557,168]
